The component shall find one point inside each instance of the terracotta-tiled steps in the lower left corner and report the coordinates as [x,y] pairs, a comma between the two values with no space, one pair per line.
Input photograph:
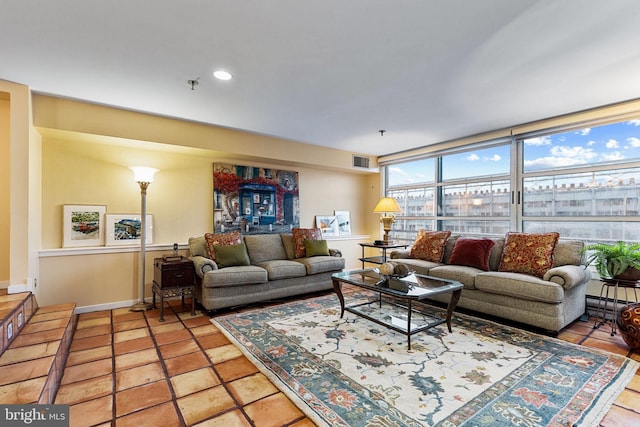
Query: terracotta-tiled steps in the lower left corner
[32,362]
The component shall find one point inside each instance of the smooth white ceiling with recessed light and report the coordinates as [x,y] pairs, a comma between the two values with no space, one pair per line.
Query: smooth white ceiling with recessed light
[331,73]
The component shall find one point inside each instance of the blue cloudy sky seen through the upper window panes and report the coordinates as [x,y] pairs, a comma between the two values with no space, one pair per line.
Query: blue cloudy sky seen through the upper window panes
[614,142]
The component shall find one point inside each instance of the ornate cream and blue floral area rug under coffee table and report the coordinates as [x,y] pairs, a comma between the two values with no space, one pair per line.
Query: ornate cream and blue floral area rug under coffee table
[353,372]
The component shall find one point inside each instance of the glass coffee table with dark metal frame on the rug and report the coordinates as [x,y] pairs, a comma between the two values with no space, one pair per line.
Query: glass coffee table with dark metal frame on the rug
[395,312]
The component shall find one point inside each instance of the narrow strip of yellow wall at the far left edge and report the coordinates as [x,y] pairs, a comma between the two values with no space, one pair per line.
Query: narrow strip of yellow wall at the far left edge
[5,164]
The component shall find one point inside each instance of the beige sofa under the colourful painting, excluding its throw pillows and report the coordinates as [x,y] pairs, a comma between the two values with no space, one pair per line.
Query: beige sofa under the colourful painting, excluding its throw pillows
[273,273]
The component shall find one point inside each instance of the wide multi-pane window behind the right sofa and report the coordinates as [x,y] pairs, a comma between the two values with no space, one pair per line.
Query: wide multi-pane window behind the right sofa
[583,183]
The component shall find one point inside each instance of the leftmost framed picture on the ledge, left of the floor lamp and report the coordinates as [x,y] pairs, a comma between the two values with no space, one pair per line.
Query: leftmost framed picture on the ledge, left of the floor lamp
[83,225]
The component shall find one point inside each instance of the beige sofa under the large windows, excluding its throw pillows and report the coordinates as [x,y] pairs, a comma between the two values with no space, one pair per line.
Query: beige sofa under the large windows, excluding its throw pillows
[550,303]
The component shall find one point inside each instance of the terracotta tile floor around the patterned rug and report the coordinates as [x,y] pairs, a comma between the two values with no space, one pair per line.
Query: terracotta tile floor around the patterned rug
[129,369]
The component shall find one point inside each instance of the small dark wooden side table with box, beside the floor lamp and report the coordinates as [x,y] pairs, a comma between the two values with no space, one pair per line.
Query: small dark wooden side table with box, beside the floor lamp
[173,277]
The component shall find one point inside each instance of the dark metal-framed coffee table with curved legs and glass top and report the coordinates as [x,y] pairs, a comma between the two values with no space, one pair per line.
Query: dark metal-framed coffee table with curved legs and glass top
[420,288]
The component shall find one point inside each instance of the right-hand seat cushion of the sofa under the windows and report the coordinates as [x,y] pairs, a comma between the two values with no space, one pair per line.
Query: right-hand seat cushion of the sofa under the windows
[521,286]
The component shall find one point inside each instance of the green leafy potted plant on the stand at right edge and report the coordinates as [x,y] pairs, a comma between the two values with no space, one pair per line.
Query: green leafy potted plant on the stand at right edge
[617,261]
